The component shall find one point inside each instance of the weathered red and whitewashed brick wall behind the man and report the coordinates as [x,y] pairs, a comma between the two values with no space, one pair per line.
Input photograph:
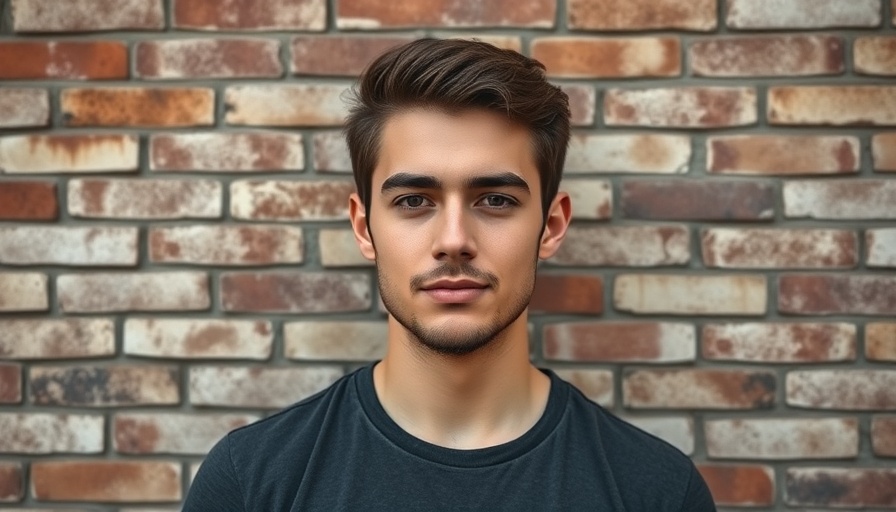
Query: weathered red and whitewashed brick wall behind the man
[176,260]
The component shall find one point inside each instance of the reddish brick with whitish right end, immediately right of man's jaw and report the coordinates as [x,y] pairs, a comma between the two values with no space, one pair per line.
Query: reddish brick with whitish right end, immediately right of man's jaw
[652,342]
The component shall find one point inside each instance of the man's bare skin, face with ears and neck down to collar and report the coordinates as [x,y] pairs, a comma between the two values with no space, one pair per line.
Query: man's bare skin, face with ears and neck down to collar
[455,230]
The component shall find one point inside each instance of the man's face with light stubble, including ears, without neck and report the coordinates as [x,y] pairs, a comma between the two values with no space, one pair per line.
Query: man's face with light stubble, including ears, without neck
[455,225]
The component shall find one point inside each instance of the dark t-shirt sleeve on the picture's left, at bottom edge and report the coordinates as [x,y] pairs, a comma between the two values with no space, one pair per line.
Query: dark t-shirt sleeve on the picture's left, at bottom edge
[216,487]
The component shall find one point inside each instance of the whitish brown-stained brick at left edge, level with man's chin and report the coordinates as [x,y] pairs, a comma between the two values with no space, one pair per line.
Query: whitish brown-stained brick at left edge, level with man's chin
[51,338]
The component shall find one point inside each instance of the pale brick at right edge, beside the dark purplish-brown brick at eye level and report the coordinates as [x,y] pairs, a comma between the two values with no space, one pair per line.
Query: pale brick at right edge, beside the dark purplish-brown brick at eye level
[852,199]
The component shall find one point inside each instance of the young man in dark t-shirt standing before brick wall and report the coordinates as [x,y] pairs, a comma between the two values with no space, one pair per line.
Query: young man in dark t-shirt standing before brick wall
[457,149]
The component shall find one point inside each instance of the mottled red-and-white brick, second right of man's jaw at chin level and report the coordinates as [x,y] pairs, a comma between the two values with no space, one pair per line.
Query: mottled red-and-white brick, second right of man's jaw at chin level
[774,343]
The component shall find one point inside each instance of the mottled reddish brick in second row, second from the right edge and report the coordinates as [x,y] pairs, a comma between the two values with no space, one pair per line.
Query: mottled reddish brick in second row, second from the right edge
[791,55]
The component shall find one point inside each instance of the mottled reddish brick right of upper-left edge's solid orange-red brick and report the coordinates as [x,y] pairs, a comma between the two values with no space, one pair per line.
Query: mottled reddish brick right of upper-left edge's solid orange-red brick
[208,58]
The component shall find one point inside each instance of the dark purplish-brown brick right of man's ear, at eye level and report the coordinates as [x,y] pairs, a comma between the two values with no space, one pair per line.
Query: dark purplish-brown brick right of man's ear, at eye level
[698,200]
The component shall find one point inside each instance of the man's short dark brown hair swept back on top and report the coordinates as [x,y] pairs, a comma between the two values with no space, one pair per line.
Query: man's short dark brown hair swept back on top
[454,75]
